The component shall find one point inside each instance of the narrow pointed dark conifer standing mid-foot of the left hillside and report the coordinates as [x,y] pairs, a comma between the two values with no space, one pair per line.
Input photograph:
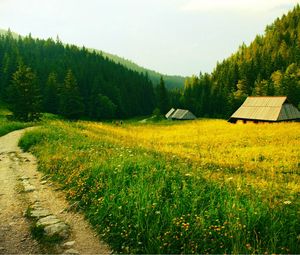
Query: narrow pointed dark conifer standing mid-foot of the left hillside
[71,103]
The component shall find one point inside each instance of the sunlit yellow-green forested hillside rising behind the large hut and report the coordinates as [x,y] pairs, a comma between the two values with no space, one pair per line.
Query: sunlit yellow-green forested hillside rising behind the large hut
[270,65]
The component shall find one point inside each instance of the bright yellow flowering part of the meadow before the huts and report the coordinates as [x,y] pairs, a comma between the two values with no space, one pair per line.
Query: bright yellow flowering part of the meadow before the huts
[263,154]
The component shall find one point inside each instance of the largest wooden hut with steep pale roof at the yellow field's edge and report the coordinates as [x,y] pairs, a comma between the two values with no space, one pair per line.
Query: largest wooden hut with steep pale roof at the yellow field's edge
[265,109]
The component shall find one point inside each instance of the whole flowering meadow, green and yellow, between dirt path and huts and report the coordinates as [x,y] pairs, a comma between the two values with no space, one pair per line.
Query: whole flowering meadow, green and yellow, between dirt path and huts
[204,186]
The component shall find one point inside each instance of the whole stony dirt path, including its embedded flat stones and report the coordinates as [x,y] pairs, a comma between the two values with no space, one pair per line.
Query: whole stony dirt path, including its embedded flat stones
[30,203]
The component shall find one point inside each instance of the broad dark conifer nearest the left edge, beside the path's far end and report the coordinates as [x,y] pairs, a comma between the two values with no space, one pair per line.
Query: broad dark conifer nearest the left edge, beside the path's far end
[24,96]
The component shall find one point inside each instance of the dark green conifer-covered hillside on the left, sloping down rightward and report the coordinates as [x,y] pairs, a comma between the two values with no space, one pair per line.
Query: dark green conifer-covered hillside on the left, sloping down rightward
[70,80]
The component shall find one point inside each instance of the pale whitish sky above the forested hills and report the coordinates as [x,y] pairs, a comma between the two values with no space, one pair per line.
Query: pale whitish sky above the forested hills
[181,37]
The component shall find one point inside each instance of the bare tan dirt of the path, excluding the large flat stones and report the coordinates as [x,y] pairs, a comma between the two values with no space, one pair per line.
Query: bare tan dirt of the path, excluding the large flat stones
[15,237]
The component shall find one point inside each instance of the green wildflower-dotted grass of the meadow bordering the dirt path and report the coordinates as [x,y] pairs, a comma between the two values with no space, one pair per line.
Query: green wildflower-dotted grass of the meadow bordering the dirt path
[144,201]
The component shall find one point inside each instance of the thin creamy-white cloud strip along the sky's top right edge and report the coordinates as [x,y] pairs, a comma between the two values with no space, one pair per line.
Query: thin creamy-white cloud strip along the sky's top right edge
[235,5]
